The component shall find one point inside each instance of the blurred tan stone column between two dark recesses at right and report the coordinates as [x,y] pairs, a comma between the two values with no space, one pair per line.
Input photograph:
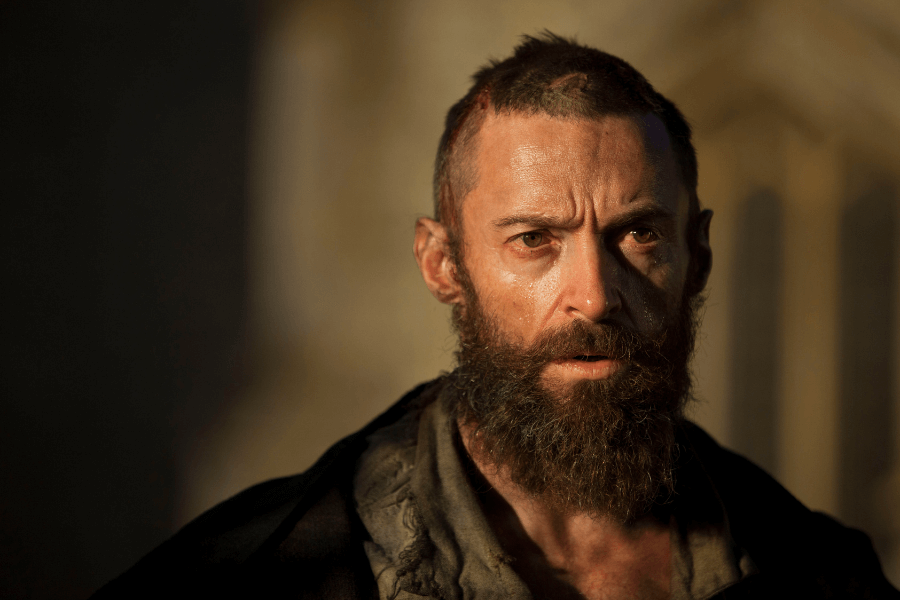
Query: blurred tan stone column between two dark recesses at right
[808,428]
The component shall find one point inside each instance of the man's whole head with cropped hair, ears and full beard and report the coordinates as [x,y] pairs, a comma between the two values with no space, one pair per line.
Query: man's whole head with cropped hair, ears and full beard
[570,243]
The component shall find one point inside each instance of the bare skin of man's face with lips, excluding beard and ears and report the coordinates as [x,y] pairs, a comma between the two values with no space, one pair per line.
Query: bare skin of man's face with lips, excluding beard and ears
[575,220]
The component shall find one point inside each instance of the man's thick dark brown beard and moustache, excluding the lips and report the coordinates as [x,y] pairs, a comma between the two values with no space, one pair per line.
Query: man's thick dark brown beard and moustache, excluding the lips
[604,447]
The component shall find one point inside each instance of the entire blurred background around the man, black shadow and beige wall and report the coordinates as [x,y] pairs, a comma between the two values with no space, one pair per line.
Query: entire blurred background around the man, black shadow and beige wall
[207,223]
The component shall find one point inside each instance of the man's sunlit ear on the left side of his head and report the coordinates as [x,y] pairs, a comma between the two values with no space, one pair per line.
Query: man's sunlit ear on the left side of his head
[432,252]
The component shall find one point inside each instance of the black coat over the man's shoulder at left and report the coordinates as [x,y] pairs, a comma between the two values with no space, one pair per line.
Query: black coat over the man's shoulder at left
[304,522]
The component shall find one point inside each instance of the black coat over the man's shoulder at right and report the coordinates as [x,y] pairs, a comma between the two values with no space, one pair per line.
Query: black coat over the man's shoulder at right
[790,544]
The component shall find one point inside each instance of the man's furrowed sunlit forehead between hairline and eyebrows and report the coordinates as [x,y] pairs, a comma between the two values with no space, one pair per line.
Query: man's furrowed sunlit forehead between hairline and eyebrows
[540,162]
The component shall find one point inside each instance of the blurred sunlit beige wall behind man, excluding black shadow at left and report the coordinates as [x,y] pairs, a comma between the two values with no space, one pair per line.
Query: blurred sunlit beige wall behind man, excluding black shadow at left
[796,109]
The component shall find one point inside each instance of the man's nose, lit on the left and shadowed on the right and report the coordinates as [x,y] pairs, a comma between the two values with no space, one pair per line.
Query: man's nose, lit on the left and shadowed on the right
[590,289]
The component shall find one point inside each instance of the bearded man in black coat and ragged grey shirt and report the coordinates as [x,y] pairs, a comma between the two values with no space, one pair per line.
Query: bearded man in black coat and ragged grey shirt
[555,461]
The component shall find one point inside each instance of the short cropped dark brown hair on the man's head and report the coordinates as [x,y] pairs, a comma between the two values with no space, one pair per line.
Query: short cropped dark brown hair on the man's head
[558,77]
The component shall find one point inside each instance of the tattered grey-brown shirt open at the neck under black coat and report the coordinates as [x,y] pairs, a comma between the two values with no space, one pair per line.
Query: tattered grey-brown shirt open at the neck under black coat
[430,538]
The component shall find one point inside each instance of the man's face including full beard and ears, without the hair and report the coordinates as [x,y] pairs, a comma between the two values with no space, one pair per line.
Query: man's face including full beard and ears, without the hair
[575,321]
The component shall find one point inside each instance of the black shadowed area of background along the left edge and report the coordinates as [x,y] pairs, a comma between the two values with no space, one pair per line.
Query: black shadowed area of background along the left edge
[123,129]
